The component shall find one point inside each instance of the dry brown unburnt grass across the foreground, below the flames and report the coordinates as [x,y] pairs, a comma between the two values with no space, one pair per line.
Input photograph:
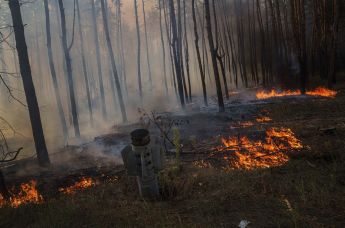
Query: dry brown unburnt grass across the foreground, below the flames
[307,192]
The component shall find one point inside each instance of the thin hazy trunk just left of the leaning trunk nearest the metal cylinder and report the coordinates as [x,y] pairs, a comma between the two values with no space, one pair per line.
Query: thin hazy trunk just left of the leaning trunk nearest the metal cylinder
[98,58]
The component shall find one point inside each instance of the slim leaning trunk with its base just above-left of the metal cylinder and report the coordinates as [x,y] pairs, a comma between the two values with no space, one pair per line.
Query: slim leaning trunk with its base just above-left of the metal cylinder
[112,60]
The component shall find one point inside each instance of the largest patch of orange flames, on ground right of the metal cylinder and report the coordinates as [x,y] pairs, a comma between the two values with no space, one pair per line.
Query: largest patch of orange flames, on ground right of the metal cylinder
[251,154]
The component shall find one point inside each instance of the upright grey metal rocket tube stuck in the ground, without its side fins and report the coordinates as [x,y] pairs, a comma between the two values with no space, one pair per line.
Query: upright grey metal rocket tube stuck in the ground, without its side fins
[147,181]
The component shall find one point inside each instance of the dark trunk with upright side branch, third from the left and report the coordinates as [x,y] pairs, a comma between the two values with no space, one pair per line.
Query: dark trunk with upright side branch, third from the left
[67,55]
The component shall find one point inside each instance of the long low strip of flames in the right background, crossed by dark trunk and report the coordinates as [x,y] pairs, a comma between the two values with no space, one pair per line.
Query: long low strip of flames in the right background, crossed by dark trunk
[318,92]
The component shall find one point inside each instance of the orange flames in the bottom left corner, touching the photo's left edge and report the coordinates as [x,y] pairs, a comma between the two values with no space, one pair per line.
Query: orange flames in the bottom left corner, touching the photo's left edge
[28,194]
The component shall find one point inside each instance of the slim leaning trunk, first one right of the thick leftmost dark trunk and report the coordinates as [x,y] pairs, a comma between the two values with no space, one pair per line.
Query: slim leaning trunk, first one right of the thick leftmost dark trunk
[53,73]
